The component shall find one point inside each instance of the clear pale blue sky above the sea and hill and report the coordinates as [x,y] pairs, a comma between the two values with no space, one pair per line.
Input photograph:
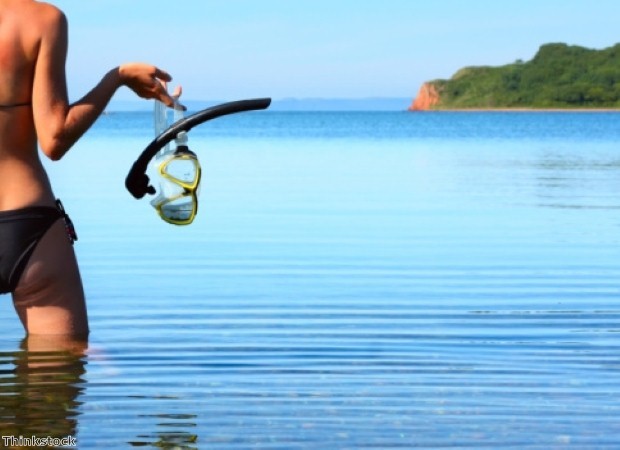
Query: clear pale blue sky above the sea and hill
[230,49]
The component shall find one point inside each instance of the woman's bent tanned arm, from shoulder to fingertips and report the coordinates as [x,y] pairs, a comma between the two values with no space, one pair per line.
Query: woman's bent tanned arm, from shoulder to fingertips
[59,125]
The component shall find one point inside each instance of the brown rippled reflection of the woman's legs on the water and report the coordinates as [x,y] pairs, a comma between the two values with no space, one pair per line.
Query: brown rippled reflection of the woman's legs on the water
[40,387]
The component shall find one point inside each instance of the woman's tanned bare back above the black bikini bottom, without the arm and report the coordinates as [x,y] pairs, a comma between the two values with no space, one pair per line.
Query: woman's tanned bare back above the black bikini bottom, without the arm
[23,180]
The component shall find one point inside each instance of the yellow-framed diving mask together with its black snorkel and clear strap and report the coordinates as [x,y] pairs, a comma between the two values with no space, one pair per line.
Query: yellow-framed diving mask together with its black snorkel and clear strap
[177,171]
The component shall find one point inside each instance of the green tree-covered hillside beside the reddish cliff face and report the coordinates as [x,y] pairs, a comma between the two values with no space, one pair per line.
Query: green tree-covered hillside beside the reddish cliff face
[559,76]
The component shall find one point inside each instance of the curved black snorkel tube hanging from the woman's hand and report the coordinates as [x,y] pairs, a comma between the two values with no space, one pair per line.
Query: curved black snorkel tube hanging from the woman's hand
[137,181]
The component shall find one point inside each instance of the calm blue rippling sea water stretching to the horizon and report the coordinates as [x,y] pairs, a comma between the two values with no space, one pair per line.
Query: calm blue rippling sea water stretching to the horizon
[352,280]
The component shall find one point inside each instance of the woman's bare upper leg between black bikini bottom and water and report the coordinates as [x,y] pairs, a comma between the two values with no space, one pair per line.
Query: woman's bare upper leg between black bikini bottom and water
[50,298]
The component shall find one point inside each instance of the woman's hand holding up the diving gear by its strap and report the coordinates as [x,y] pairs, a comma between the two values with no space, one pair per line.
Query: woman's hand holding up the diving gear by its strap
[146,81]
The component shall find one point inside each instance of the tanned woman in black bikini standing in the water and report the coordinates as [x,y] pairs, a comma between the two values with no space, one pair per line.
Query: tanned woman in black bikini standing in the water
[37,261]
